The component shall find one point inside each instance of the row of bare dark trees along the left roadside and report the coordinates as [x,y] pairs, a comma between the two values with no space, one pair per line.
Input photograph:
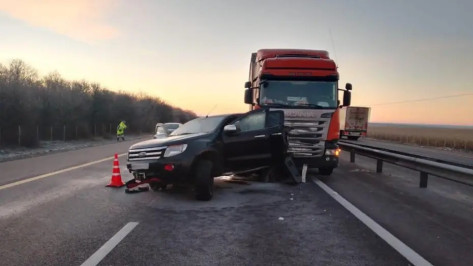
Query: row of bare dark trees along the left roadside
[34,102]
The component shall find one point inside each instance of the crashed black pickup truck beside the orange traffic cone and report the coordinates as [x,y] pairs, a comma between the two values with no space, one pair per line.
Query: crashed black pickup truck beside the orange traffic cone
[208,147]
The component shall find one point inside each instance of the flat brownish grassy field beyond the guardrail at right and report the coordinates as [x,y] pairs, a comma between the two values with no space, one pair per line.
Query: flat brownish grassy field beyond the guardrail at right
[454,138]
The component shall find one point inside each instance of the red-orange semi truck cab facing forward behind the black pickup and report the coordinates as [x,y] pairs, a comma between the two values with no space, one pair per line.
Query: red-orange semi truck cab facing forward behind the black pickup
[303,84]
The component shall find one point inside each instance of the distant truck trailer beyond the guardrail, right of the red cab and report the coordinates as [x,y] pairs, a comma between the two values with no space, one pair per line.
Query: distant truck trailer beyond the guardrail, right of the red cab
[354,122]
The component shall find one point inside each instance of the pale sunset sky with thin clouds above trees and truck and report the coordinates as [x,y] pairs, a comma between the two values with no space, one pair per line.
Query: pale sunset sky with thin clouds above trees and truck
[410,61]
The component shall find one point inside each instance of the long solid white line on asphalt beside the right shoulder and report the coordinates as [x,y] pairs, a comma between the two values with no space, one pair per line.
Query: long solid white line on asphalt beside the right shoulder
[393,241]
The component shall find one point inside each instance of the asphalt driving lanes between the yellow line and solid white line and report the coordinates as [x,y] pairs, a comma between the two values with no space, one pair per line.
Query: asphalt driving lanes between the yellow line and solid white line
[64,219]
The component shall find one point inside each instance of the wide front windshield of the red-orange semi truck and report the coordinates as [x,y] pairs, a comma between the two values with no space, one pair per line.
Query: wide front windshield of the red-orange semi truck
[306,94]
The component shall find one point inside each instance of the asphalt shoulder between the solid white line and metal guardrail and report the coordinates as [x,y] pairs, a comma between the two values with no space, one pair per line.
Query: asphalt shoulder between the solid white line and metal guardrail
[437,221]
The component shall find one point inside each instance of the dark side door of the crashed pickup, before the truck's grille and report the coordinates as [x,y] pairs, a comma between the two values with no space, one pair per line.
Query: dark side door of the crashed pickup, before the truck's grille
[254,140]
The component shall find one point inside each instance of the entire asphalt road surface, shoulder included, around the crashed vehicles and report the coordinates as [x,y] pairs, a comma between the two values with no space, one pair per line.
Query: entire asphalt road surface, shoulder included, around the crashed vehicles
[63,219]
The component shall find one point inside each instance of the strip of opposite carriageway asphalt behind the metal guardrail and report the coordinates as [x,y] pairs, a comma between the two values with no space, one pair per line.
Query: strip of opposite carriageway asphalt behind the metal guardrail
[455,156]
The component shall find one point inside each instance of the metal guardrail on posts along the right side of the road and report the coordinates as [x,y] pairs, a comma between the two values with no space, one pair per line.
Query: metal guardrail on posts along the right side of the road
[425,165]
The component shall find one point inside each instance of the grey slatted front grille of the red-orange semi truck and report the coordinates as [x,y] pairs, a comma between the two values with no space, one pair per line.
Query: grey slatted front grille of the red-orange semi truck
[306,136]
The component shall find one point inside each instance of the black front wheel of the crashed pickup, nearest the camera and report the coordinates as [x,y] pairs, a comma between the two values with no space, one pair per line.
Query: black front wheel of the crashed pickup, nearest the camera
[204,181]
